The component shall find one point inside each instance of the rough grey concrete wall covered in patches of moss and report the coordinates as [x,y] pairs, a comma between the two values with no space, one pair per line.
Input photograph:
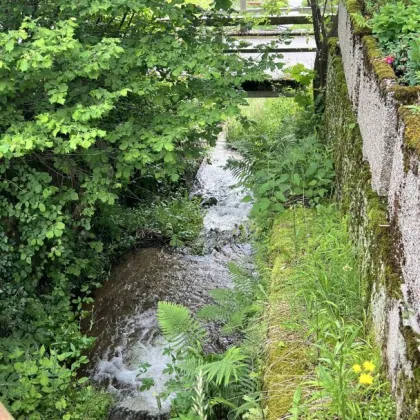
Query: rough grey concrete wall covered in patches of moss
[379,190]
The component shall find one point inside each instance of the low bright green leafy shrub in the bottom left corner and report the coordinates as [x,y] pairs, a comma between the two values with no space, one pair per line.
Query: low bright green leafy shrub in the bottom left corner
[41,382]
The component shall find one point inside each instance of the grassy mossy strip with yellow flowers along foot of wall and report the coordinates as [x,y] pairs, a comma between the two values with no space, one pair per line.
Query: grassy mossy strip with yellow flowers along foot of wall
[326,300]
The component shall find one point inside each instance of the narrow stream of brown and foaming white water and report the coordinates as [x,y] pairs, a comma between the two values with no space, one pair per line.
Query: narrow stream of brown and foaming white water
[124,316]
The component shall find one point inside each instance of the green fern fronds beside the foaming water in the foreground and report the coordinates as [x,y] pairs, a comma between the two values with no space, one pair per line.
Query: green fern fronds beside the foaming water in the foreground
[212,385]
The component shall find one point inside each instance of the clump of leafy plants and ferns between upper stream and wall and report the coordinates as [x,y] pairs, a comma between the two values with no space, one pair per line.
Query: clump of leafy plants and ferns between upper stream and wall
[283,166]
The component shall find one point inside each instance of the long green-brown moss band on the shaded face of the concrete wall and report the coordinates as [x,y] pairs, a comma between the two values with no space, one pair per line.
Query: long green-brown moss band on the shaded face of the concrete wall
[367,212]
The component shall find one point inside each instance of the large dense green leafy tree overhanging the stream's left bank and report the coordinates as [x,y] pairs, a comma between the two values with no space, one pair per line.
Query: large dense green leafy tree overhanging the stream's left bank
[96,98]
